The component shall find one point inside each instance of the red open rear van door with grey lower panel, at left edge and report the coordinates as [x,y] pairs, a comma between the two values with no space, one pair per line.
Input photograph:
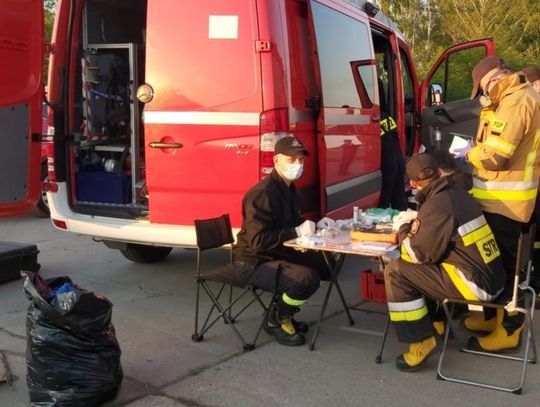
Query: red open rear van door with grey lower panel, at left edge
[21,53]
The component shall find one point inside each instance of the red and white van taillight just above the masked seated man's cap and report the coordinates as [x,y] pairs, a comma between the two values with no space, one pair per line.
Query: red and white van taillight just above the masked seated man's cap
[274,124]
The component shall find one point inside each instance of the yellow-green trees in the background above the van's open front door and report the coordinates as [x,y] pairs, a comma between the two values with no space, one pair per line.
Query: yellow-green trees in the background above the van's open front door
[430,26]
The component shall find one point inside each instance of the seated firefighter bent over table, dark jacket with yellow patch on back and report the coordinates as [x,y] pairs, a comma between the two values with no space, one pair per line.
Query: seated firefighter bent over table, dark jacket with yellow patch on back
[447,251]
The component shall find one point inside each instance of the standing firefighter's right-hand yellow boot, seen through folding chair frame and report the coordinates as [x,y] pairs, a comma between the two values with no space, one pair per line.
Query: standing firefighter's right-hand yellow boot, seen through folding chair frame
[499,341]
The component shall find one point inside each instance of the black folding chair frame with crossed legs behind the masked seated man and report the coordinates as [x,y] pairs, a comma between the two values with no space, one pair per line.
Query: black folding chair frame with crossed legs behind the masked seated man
[220,310]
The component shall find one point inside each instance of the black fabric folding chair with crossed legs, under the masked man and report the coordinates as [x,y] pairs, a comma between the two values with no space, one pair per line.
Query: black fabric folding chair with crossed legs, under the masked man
[214,233]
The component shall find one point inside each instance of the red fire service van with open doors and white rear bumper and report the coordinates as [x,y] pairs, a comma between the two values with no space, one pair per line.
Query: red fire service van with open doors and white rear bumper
[165,111]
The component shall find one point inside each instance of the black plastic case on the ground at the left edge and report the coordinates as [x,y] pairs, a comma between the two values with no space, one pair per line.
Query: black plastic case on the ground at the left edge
[15,257]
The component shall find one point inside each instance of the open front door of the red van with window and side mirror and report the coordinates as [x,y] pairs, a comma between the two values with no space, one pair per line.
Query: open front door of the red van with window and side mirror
[444,95]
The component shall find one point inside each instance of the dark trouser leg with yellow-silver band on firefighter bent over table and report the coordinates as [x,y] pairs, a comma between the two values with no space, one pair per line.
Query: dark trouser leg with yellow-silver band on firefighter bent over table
[412,291]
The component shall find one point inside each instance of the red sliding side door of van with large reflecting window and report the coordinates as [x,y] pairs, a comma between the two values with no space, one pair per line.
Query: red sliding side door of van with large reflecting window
[348,138]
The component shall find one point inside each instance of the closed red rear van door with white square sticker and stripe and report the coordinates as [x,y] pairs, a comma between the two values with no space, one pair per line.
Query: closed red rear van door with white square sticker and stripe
[205,102]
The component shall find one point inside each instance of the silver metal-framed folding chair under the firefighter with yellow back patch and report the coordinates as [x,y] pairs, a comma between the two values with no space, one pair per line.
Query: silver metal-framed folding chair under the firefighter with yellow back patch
[523,264]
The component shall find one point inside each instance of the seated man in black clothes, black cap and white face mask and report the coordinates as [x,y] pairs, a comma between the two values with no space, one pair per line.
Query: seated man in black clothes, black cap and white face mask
[270,216]
